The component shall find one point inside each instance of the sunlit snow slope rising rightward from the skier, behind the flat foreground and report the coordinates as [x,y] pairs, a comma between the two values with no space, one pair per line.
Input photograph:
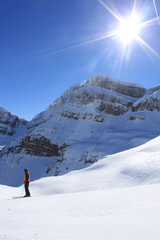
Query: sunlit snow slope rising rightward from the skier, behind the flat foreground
[134,167]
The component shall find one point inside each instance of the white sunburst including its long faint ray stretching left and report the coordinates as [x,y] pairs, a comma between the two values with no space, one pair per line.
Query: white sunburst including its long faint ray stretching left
[127,31]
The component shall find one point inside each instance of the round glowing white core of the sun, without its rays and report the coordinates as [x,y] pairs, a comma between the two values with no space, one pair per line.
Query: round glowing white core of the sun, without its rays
[129,29]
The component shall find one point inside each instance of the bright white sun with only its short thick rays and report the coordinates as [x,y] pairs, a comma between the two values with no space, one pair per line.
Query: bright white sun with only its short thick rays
[129,28]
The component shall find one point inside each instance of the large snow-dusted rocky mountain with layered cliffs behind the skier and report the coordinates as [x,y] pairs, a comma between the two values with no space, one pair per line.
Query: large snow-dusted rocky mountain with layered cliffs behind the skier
[92,119]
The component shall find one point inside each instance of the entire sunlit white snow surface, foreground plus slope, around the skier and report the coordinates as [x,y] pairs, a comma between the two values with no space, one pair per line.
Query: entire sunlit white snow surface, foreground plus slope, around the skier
[117,198]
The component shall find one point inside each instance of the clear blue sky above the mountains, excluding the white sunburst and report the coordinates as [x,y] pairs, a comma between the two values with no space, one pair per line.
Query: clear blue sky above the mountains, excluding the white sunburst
[48,45]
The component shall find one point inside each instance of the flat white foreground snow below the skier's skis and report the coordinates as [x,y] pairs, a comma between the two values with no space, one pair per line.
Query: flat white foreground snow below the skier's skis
[126,213]
